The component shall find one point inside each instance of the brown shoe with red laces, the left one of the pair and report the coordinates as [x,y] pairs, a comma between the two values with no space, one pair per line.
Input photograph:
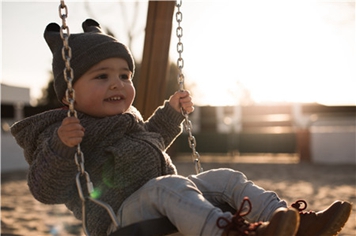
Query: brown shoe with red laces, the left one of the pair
[284,222]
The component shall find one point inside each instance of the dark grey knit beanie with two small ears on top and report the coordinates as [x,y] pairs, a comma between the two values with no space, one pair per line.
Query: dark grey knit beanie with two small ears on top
[88,49]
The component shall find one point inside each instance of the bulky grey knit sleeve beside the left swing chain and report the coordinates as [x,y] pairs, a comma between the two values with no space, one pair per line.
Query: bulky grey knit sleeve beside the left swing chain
[52,173]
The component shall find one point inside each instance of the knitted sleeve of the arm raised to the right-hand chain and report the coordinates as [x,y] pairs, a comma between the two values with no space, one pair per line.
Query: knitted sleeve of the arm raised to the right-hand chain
[167,122]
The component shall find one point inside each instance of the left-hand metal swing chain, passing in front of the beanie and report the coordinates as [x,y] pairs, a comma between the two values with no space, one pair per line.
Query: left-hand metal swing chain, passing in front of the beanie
[68,75]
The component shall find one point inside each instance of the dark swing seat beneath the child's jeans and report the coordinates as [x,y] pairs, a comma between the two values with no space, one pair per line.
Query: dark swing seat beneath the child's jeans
[156,227]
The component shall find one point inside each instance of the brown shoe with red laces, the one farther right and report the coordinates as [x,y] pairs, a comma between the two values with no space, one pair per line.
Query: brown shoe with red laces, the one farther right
[328,222]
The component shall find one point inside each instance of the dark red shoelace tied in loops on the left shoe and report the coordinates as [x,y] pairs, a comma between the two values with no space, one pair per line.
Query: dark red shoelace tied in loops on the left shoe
[237,223]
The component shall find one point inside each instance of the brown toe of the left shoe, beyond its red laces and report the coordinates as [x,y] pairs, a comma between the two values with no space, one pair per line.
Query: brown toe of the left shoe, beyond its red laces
[287,223]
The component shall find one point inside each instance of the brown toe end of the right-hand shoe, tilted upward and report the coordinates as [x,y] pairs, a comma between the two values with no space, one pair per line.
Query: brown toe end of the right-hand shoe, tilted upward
[340,218]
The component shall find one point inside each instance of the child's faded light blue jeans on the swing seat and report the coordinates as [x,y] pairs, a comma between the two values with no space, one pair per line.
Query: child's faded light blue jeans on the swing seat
[192,203]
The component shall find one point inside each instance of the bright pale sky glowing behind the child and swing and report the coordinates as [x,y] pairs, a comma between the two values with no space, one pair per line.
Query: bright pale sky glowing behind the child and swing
[275,51]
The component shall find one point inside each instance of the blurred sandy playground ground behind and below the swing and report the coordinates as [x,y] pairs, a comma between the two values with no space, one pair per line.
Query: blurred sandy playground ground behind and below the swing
[318,184]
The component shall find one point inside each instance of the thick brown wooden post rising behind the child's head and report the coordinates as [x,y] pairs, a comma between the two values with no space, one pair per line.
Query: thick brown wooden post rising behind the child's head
[152,82]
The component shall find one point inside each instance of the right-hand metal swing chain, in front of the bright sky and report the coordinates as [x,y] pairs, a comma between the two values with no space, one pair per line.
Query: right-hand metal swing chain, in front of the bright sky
[180,63]
